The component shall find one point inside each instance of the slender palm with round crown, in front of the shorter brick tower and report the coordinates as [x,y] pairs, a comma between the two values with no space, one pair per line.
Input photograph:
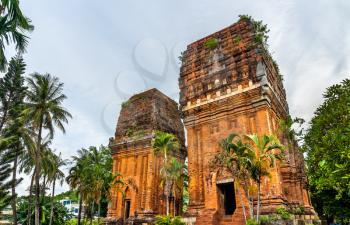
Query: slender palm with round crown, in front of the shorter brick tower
[163,143]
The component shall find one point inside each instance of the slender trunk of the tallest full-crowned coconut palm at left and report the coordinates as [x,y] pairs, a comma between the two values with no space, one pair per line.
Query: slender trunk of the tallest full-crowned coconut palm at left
[37,175]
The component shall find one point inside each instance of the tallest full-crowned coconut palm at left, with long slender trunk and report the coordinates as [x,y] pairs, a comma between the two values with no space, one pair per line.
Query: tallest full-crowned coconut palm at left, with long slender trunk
[44,110]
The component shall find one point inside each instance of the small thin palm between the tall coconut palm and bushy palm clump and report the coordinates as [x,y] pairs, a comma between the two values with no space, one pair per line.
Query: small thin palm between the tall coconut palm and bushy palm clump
[56,174]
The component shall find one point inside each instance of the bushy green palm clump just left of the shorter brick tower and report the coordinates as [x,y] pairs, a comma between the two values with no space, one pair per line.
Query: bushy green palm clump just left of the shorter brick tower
[91,176]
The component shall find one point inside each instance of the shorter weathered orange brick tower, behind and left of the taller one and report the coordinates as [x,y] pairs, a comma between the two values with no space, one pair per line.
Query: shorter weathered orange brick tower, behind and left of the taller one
[133,157]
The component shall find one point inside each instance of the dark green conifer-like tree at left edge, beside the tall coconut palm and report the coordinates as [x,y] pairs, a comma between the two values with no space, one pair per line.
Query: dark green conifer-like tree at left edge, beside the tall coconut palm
[12,93]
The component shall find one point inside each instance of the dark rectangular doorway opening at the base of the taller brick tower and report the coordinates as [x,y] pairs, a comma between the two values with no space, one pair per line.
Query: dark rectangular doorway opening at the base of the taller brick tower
[227,197]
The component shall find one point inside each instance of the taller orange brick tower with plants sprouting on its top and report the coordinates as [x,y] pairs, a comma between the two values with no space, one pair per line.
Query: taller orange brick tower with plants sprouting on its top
[230,84]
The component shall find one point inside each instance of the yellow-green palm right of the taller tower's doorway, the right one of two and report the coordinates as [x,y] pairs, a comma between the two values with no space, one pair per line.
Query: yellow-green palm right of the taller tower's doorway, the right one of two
[267,149]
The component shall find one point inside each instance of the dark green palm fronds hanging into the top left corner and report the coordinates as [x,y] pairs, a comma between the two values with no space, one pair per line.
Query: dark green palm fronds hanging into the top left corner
[13,28]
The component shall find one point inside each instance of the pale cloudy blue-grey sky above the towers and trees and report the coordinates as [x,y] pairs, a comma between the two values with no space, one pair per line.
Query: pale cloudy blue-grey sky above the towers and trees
[106,51]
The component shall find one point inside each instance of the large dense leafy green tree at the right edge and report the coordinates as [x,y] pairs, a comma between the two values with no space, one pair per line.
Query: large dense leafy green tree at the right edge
[327,145]
